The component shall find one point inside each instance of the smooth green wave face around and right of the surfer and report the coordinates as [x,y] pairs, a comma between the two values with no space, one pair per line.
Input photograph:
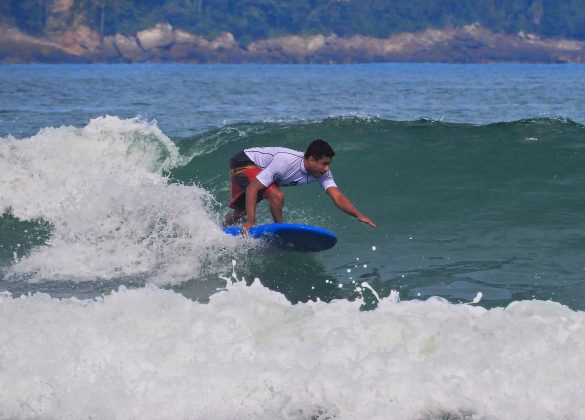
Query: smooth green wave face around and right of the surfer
[460,208]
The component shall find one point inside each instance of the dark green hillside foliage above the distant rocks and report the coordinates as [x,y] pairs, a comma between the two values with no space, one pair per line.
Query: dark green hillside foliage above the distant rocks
[256,19]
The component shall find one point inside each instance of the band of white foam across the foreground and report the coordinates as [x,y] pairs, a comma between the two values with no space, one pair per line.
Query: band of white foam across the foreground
[249,353]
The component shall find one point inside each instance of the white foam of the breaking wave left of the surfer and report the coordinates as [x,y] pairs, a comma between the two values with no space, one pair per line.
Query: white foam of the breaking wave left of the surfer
[112,211]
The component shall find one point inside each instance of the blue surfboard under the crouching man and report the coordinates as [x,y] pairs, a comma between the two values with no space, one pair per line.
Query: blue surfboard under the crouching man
[303,238]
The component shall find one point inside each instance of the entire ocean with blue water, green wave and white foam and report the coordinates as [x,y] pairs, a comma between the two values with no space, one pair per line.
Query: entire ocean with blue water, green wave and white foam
[122,298]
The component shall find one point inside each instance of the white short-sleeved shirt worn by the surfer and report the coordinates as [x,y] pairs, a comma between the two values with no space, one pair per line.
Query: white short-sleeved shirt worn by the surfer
[284,167]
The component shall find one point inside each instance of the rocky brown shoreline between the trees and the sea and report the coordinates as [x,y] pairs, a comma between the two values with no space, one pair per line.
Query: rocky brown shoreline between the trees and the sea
[165,44]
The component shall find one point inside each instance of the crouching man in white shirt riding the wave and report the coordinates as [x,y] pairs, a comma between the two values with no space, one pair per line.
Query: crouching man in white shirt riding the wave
[258,173]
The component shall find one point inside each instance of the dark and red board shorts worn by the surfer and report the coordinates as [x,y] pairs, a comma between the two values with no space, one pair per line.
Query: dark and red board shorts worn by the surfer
[242,172]
